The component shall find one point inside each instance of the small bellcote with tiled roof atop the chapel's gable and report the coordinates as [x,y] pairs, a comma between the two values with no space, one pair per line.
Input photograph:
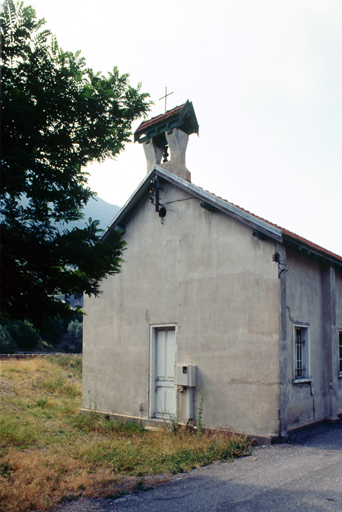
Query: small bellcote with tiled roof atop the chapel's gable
[169,131]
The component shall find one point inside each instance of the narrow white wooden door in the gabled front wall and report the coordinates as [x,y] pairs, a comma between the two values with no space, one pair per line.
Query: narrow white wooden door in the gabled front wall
[164,374]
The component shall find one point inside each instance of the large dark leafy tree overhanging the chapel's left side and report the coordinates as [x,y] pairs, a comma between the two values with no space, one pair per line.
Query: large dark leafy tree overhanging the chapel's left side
[58,116]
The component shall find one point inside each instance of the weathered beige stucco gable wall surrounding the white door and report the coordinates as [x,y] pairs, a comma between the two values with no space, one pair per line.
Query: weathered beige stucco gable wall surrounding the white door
[206,273]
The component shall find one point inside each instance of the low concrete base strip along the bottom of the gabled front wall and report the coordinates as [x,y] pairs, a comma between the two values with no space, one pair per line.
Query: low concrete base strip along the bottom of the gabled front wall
[157,423]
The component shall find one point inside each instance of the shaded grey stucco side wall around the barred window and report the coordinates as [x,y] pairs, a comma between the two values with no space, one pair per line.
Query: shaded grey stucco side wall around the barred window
[313,300]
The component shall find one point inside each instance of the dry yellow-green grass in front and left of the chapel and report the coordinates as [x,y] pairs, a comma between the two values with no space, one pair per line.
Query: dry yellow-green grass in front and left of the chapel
[50,453]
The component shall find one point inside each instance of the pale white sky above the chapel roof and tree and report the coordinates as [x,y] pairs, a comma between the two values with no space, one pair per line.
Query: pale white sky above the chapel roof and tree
[265,79]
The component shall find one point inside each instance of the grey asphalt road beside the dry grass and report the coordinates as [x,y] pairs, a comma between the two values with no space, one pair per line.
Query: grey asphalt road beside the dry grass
[302,475]
